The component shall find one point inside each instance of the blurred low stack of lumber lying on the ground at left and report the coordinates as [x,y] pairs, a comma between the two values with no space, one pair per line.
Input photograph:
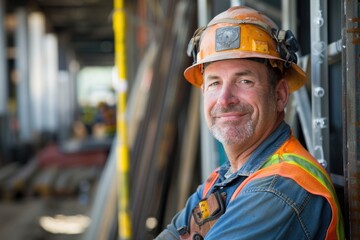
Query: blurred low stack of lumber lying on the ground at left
[52,173]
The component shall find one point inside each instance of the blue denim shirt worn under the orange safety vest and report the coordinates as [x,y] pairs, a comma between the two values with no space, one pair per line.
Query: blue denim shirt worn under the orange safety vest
[268,208]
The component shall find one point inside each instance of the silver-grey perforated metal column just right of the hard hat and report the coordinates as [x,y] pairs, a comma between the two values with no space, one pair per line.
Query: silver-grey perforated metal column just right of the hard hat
[319,81]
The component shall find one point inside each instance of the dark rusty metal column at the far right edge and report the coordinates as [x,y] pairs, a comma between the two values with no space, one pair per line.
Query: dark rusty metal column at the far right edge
[351,114]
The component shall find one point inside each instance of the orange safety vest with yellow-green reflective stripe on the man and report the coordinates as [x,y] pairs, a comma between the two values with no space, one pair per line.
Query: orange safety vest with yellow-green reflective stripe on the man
[291,160]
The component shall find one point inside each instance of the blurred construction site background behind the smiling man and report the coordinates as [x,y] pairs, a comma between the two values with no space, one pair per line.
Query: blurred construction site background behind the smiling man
[60,91]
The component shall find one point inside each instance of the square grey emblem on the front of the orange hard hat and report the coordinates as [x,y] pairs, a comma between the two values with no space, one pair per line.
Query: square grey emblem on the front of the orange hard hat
[227,38]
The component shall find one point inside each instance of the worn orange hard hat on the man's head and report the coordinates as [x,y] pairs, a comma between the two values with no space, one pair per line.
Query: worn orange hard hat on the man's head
[242,32]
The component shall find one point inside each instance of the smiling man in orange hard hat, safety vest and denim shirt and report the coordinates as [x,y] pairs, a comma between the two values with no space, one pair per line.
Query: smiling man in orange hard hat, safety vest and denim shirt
[271,187]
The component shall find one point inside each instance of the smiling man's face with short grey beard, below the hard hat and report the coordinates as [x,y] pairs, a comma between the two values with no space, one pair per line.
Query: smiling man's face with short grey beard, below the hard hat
[240,105]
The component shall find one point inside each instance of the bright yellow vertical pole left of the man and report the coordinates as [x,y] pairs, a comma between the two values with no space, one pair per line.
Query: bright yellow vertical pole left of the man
[122,147]
